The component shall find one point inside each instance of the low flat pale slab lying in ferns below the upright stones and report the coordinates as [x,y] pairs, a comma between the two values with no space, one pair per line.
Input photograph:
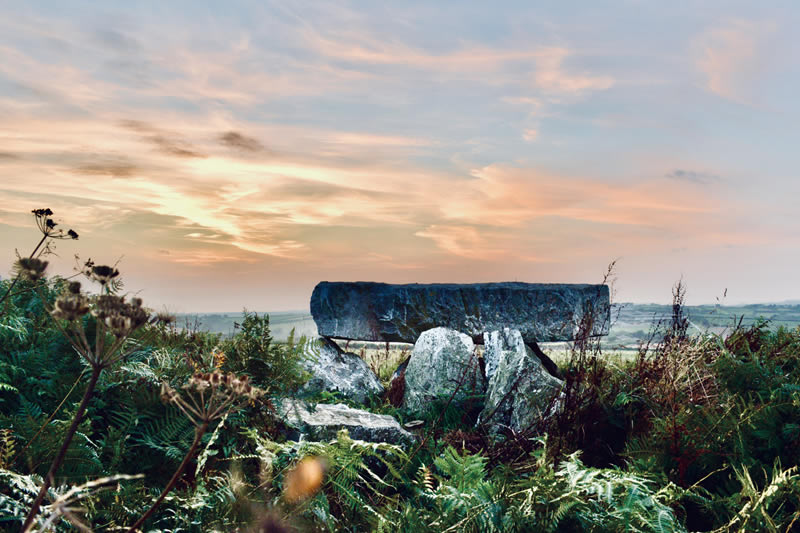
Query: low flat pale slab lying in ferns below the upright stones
[322,422]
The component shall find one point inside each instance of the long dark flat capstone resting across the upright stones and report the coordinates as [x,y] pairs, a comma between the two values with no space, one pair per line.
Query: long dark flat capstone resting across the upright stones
[542,312]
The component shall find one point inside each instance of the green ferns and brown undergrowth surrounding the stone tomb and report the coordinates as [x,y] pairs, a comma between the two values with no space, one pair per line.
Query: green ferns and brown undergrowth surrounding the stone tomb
[695,433]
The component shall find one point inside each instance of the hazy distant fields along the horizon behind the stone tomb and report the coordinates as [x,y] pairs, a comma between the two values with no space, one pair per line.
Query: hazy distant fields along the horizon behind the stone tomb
[631,323]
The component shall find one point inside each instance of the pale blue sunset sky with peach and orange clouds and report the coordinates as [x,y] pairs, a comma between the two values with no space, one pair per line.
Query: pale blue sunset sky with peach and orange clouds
[231,155]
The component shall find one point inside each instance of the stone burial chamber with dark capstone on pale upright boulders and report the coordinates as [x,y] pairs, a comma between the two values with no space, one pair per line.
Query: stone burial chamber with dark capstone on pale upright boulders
[444,322]
